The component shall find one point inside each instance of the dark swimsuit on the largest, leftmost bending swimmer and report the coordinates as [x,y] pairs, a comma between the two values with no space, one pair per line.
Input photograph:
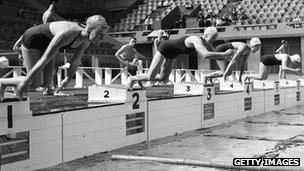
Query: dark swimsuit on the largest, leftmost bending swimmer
[39,37]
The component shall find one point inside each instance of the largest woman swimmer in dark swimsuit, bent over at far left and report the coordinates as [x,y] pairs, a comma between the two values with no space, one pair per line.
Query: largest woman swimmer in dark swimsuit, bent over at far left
[40,44]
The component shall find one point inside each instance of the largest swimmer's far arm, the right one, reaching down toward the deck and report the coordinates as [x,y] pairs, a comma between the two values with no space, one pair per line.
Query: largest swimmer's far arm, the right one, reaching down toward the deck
[75,62]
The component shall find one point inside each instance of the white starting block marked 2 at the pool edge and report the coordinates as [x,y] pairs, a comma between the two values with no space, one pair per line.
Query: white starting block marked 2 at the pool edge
[114,93]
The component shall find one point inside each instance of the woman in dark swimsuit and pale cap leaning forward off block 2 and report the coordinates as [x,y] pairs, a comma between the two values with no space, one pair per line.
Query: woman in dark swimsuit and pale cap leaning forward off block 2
[166,53]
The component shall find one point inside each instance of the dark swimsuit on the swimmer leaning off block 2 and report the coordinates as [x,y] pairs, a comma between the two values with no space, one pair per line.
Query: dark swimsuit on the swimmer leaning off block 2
[170,49]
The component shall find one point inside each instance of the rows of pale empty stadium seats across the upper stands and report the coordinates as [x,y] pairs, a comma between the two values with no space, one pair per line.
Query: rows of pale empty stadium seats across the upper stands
[257,12]
